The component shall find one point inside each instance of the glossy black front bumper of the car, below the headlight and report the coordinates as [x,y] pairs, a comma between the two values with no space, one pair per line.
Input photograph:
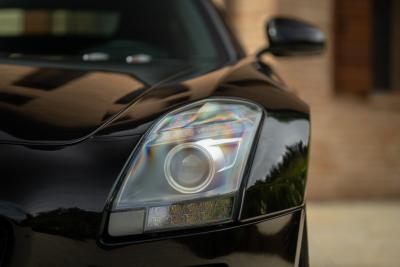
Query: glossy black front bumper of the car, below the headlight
[272,242]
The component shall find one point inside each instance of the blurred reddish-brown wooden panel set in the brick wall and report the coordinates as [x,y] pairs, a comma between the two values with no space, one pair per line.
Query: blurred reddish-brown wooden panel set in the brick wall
[353,58]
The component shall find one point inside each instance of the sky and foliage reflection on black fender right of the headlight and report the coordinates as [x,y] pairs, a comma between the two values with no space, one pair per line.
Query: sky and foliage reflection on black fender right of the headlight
[279,171]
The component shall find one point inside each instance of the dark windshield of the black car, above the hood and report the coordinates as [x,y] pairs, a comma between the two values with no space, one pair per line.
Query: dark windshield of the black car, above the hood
[88,30]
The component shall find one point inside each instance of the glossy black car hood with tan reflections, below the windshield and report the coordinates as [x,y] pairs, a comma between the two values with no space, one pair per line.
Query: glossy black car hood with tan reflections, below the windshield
[60,104]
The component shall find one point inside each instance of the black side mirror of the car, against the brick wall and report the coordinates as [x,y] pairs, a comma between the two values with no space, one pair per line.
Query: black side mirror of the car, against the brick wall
[292,37]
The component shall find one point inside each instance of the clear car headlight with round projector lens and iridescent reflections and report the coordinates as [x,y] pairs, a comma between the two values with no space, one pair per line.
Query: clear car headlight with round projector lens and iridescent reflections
[187,170]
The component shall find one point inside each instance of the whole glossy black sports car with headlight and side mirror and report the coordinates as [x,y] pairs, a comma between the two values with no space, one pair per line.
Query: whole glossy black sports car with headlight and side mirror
[137,133]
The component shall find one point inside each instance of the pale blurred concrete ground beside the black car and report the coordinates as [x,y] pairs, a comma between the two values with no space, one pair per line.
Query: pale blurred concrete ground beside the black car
[355,234]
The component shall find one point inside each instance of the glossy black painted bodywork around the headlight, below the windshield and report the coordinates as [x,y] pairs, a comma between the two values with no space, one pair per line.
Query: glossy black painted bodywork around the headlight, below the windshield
[57,171]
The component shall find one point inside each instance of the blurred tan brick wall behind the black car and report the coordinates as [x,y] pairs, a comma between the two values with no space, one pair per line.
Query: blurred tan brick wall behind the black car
[355,149]
